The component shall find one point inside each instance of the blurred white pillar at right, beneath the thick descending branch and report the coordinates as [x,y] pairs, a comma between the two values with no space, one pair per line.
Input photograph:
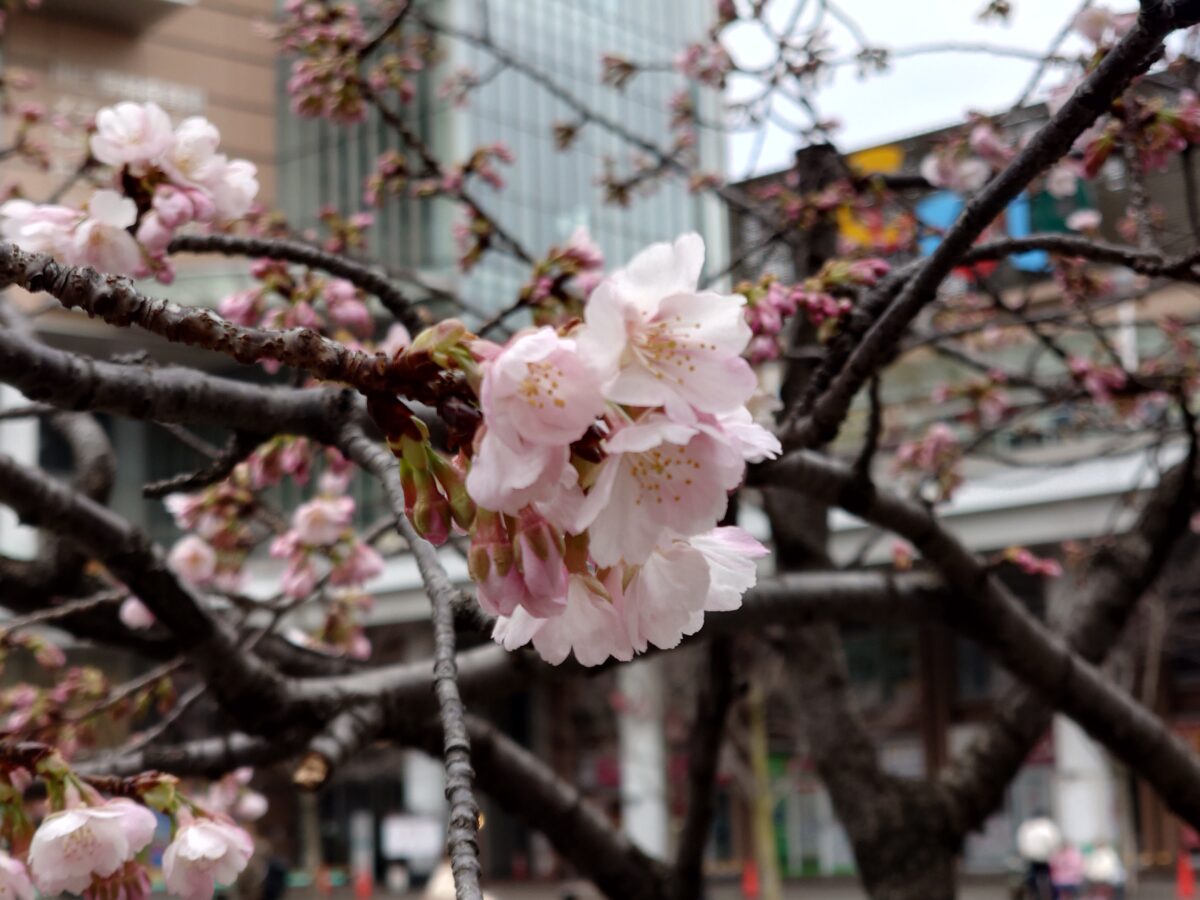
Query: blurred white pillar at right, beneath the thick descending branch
[1085,794]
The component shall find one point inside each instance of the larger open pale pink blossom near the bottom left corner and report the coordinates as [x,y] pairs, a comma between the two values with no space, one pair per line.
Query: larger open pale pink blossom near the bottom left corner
[73,847]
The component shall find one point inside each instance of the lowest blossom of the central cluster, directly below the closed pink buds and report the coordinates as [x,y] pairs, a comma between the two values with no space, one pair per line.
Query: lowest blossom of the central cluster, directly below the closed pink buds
[591,626]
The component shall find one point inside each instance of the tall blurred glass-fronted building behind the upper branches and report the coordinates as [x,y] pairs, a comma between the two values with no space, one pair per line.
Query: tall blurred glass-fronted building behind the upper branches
[549,193]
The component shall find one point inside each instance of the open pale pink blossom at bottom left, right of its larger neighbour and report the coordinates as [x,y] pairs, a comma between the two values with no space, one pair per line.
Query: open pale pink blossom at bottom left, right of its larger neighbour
[206,854]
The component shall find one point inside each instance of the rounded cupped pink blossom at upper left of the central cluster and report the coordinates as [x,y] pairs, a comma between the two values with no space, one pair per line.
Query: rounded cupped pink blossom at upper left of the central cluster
[541,392]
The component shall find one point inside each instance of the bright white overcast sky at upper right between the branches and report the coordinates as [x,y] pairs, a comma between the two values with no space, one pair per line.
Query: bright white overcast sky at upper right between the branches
[921,93]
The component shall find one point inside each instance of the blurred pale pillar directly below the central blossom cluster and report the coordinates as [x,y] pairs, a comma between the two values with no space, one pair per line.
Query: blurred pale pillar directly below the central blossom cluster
[644,772]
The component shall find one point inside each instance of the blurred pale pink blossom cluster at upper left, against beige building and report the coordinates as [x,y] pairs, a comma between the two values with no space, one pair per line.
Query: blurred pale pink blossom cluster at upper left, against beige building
[164,179]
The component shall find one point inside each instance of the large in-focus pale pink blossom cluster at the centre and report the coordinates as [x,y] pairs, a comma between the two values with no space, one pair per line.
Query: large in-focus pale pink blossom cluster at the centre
[604,465]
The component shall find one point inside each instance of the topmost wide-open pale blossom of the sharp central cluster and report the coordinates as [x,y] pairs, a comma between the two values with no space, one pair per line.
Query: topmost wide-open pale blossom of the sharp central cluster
[658,341]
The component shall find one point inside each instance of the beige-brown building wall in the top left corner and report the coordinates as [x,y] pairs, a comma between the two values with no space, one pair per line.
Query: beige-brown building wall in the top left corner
[203,58]
